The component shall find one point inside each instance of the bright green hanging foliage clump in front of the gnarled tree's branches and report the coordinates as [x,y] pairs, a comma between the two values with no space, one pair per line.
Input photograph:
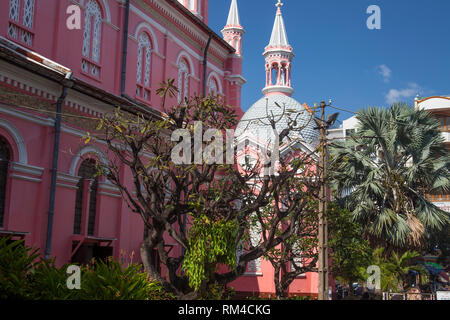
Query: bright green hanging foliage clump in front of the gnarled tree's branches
[211,243]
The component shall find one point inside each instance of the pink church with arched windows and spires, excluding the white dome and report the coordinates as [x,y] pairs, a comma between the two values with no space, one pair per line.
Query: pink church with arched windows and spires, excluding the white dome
[66,62]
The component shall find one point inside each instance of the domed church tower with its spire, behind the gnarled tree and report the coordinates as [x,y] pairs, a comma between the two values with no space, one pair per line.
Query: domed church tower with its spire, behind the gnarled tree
[254,130]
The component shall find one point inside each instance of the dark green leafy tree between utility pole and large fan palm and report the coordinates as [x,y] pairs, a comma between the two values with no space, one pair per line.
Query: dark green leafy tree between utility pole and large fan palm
[349,250]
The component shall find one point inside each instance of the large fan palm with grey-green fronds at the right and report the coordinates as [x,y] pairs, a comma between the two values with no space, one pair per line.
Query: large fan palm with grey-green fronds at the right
[383,172]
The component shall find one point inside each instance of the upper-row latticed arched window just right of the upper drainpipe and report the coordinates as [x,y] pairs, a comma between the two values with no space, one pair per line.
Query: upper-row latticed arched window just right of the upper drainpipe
[143,66]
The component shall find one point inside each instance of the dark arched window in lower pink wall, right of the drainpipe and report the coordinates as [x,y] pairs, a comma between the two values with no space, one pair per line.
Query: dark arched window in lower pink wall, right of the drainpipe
[87,187]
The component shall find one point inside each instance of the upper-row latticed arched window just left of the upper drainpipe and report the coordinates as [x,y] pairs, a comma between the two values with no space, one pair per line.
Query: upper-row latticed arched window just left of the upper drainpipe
[92,39]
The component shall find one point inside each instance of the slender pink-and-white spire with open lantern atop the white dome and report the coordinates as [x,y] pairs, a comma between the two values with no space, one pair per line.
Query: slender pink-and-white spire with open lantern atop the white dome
[278,55]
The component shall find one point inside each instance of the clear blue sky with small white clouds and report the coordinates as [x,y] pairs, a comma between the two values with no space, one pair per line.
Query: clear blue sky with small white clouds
[337,57]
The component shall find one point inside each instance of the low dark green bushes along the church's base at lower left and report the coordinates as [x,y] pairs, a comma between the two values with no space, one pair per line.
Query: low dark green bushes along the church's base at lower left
[24,275]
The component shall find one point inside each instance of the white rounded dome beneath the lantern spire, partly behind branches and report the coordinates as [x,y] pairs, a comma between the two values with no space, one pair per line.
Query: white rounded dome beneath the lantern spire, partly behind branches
[255,122]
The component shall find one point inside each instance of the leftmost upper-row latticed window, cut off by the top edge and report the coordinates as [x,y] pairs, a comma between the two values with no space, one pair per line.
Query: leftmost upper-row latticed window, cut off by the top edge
[21,21]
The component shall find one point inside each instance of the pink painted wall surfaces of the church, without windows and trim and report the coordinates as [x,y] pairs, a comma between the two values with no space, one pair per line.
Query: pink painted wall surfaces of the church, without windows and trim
[29,180]
